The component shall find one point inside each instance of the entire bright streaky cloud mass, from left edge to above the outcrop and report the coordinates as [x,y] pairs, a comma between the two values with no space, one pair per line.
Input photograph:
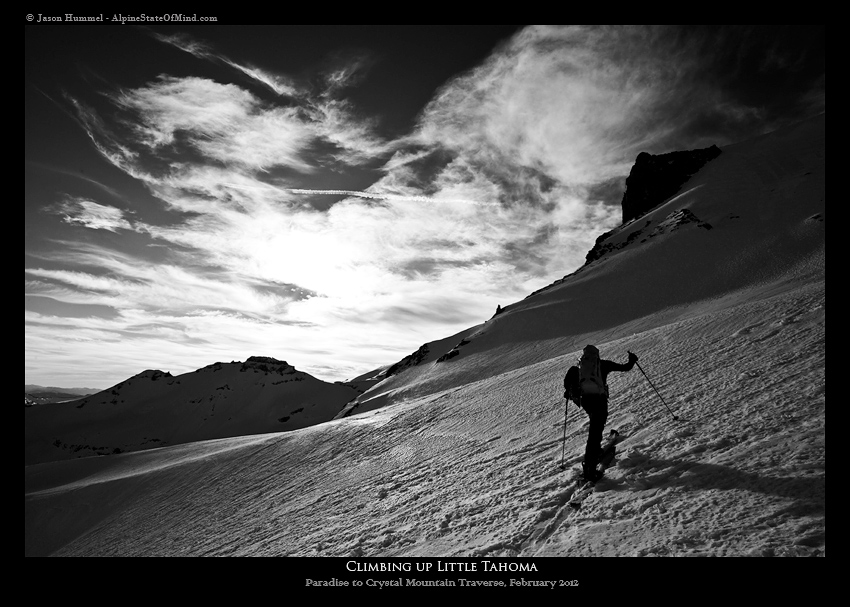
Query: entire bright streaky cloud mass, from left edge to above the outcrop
[508,176]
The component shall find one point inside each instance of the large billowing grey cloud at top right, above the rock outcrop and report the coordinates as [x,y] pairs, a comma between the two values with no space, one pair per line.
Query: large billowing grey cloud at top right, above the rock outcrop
[578,103]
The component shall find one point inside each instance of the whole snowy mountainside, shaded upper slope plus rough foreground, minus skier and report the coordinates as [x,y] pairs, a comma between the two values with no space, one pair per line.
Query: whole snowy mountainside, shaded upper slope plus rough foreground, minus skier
[458,452]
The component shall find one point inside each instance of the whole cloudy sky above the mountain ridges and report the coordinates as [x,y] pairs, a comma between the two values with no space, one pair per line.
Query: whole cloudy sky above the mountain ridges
[336,196]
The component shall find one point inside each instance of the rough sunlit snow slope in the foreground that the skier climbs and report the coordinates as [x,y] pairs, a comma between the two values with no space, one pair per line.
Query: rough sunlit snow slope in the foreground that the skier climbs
[475,471]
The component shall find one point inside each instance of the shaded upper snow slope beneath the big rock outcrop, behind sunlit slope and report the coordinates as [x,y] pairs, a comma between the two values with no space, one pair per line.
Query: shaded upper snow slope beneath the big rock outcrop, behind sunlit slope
[748,224]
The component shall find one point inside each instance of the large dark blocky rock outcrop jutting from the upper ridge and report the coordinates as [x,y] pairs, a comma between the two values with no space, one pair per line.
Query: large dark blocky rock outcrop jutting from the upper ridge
[655,178]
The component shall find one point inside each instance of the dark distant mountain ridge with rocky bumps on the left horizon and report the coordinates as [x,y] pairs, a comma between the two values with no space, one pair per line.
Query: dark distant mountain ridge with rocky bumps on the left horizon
[155,409]
